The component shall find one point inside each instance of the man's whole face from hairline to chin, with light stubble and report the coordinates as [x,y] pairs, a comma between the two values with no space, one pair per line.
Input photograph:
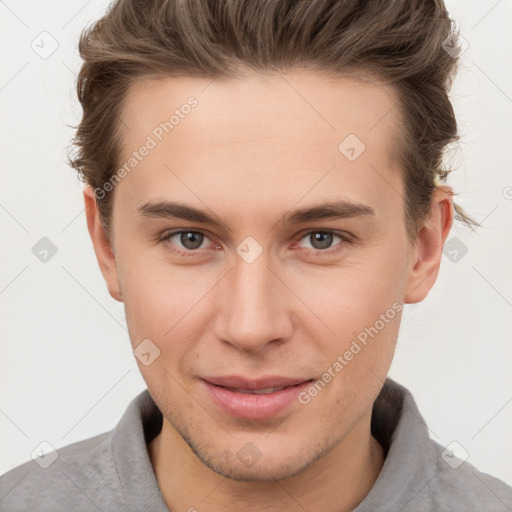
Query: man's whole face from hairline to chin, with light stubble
[248,280]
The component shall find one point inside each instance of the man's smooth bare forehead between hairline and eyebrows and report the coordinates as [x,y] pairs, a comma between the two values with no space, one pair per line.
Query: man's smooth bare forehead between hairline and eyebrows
[263,136]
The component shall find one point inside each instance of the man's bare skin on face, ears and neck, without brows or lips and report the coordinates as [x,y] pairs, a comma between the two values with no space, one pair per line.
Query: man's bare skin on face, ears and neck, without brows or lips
[252,150]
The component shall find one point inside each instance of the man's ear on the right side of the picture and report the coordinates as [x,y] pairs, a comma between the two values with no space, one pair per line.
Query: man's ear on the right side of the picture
[425,258]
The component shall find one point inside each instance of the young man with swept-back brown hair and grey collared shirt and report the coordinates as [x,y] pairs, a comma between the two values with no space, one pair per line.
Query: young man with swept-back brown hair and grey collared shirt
[263,192]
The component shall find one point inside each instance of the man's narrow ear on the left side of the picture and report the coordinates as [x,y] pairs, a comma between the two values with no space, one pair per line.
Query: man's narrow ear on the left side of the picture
[102,245]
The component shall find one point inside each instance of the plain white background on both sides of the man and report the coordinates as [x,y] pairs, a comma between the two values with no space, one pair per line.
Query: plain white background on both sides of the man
[66,368]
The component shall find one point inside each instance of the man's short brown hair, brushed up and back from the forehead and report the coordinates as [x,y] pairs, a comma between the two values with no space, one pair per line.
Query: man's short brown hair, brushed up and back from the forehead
[400,42]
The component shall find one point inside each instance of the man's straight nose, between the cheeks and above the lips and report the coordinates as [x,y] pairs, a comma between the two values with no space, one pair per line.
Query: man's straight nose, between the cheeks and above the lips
[255,308]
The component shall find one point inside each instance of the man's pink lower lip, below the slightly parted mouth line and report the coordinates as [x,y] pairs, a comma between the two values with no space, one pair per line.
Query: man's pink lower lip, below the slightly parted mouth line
[252,406]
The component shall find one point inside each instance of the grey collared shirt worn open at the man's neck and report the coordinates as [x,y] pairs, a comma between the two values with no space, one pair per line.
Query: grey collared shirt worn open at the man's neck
[112,471]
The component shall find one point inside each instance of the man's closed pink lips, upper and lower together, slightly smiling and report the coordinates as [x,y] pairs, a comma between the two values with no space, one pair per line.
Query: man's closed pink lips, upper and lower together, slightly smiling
[222,391]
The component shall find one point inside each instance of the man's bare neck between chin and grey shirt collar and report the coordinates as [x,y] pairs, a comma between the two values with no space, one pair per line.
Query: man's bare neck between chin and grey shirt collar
[336,482]
